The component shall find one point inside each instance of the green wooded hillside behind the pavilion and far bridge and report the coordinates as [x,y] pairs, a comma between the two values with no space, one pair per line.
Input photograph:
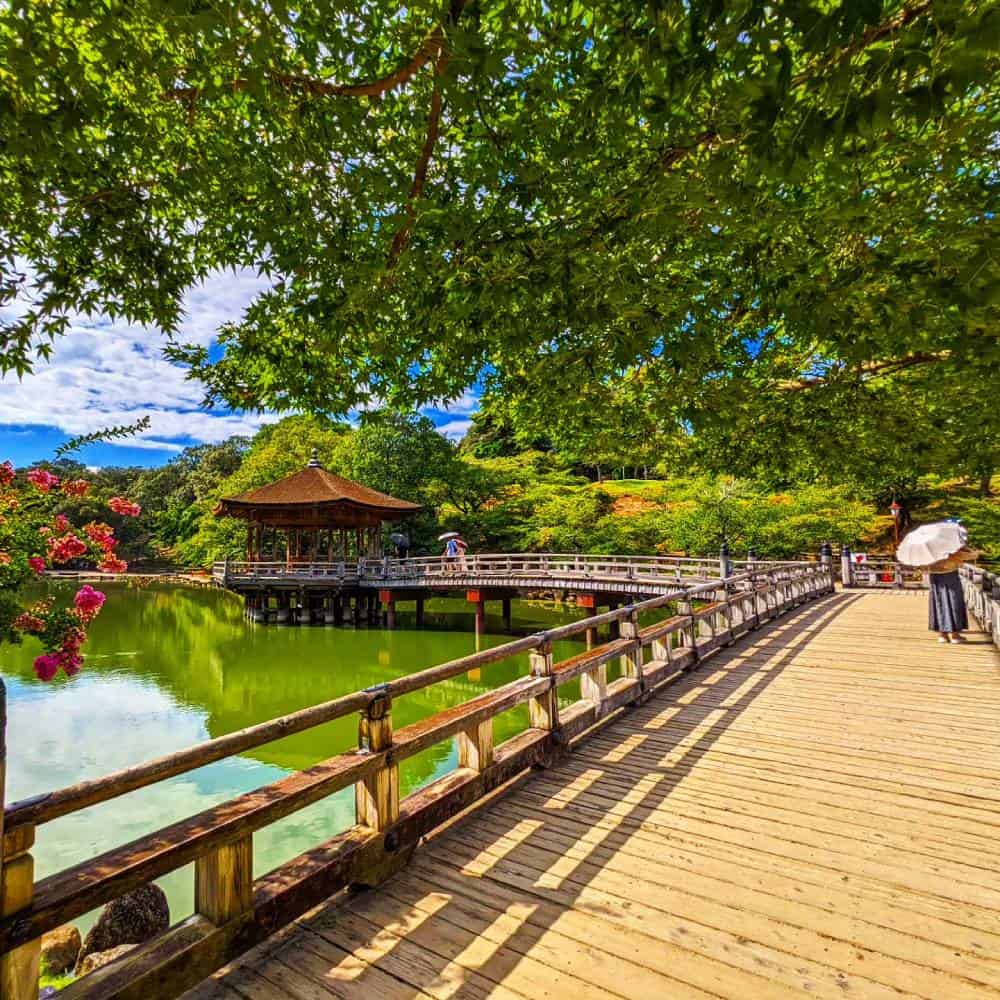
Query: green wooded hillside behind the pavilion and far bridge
[511,491]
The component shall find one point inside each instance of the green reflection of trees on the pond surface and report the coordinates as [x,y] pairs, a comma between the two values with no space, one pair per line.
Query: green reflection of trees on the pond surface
[194,644]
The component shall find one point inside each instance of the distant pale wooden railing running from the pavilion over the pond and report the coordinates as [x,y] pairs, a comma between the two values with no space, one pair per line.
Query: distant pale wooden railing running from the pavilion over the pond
[663,571]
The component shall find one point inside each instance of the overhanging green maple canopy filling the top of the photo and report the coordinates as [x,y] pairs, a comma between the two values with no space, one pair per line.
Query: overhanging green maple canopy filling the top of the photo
[693,206]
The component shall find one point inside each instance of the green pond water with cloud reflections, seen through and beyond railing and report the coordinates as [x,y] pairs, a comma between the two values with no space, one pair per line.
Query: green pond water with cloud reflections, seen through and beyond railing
[168,666]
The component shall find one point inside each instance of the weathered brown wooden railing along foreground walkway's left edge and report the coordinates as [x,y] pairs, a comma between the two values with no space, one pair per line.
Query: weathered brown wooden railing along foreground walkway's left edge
[233,910]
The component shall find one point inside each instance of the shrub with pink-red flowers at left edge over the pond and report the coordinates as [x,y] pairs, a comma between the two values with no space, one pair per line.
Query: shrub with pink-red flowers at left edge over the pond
[34,536]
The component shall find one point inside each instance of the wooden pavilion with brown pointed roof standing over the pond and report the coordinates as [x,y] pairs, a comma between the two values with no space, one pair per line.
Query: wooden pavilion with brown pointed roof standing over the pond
[314,515]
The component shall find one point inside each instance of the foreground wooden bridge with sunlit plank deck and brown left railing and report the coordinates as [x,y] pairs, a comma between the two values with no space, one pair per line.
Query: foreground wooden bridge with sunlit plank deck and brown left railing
[789,791]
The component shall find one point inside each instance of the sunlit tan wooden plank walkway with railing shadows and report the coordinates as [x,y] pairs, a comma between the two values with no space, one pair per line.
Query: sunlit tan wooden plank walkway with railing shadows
[814,812]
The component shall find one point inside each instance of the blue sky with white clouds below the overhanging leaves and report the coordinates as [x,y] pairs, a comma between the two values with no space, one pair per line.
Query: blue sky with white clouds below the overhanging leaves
[104,374]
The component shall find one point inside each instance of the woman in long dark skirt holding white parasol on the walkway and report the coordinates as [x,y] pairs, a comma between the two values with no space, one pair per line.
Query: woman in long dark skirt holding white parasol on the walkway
[941,548]
